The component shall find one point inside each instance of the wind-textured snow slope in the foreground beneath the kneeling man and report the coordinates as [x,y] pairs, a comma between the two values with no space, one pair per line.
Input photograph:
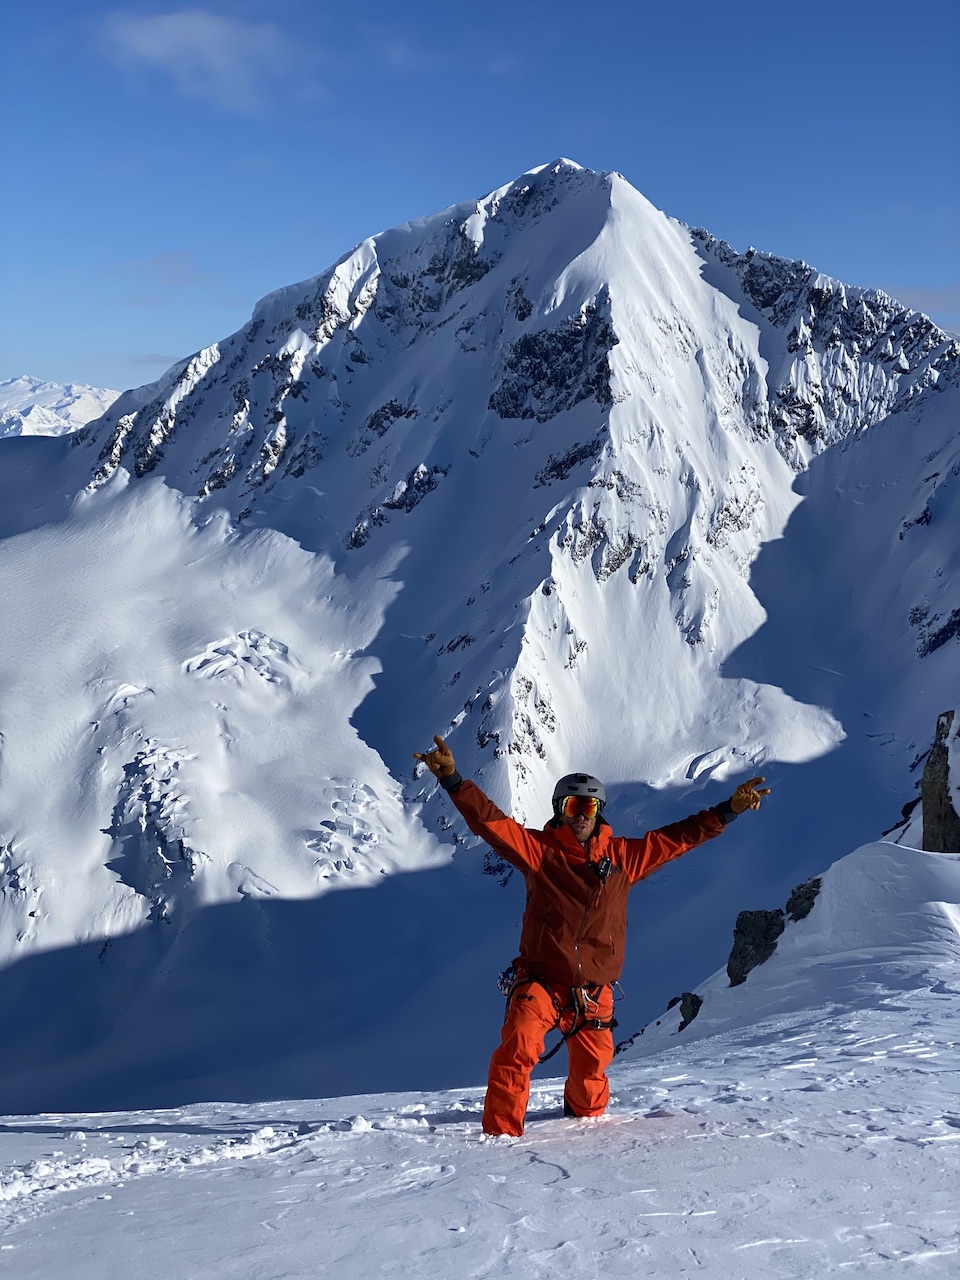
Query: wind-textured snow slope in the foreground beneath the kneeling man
[807,1124]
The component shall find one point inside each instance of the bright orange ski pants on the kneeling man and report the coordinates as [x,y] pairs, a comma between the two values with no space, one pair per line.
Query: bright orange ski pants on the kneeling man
[532,1014]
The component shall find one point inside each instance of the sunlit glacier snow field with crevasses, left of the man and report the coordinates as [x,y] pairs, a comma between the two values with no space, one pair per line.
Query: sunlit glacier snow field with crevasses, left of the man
[171,669]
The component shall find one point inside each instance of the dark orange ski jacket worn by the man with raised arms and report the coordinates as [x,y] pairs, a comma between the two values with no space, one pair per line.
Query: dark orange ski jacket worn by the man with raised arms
[575,922]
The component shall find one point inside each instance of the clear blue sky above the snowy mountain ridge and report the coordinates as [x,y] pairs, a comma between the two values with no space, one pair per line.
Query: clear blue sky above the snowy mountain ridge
[168,164]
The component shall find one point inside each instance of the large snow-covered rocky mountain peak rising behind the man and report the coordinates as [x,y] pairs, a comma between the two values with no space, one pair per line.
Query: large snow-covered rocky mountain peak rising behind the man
[548,473]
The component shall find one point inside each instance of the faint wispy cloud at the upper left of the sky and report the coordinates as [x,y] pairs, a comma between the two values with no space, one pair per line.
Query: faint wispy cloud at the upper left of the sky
[235,65]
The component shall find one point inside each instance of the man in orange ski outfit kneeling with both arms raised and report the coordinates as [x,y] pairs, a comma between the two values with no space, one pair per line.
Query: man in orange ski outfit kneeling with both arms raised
[572,948]
